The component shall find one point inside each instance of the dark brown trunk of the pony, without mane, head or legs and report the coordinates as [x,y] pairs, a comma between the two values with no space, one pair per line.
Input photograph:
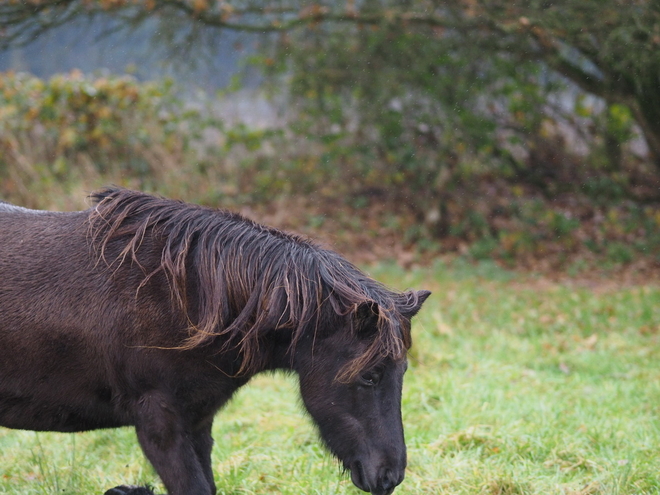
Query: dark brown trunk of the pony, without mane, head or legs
[62,320]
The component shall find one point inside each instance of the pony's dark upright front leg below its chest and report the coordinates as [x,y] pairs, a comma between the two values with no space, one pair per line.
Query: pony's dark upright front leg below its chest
[179,454]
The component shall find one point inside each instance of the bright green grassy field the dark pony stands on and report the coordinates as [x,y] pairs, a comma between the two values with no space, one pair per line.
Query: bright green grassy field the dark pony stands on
[515,386]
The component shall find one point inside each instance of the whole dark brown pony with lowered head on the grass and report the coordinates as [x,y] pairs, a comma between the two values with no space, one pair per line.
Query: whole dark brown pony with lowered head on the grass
[150,312]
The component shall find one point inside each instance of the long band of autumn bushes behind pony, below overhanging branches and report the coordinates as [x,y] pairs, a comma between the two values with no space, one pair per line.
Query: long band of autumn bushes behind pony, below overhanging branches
[384,189]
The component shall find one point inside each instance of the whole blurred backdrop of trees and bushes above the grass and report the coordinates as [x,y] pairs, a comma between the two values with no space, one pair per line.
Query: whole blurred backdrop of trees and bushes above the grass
[527,132]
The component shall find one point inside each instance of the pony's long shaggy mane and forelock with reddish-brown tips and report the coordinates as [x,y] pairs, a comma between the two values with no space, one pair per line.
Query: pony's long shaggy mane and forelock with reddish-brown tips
[251,279]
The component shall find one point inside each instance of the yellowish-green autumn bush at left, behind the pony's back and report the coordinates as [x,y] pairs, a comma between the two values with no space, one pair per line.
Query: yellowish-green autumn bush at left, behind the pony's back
[76,126]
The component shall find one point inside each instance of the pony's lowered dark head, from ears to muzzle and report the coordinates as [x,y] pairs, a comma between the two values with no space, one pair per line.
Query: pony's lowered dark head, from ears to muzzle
[351,383]
